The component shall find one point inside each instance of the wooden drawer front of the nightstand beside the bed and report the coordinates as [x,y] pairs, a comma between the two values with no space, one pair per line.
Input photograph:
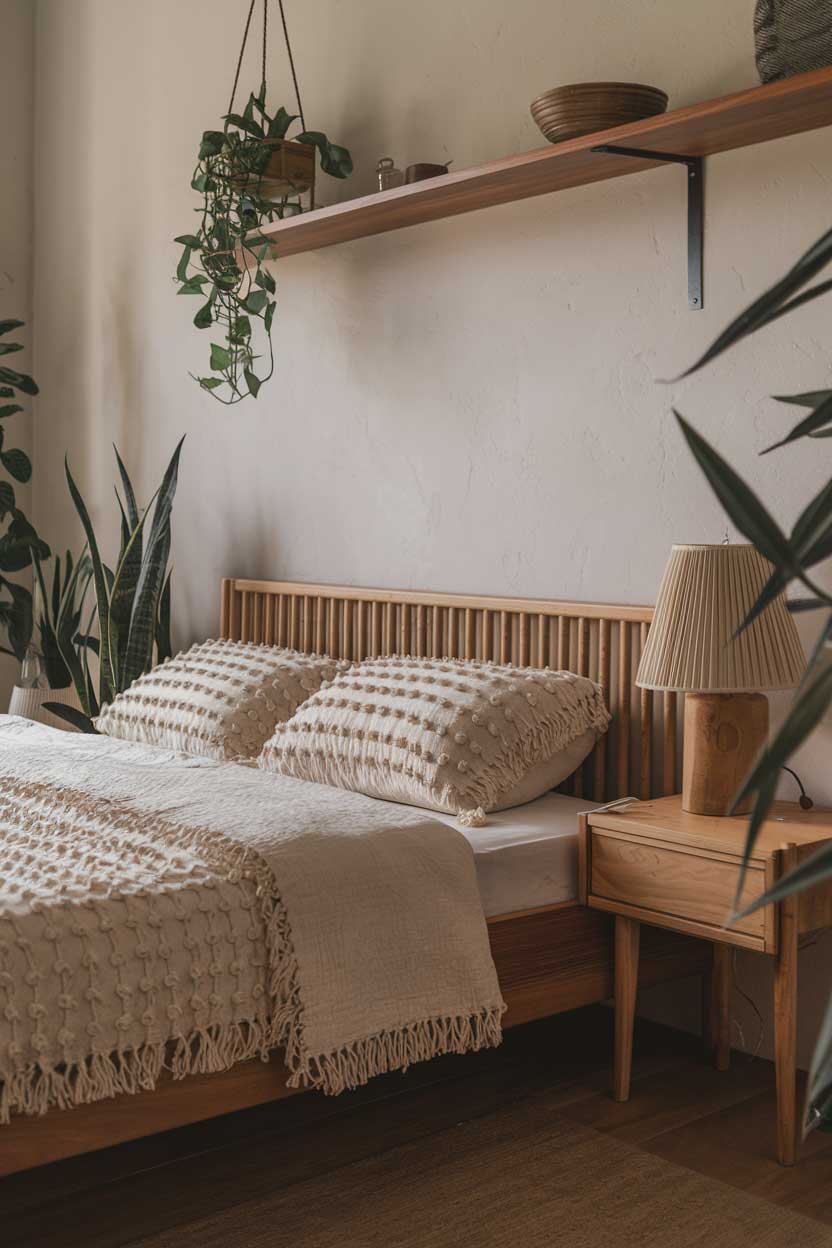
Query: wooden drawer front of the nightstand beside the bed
[659,880]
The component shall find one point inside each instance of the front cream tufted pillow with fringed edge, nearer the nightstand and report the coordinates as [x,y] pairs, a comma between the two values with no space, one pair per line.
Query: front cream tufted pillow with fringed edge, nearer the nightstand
[442,733]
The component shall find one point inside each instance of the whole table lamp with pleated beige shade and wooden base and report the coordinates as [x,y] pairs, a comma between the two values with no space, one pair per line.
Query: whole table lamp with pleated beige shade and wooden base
[694,648]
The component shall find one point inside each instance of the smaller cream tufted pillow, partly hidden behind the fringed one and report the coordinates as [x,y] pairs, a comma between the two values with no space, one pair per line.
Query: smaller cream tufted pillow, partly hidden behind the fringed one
[219,700]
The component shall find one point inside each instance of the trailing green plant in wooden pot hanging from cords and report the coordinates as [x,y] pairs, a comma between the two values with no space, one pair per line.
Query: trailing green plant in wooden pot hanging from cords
[249,174]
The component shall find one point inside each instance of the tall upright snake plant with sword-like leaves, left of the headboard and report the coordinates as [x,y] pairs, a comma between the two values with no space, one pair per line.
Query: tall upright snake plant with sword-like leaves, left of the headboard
[133,603]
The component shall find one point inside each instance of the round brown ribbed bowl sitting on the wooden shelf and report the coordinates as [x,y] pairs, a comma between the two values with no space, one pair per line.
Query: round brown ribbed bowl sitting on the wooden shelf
[584,108]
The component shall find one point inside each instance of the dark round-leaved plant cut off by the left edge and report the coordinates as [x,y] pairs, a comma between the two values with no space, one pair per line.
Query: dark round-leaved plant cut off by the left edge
[19,540]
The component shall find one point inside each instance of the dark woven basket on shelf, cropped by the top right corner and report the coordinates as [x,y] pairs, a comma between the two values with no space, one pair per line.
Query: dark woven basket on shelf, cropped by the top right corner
[791,37]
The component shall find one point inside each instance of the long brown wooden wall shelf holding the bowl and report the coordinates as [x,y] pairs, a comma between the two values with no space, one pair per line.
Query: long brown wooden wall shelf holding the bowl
[742,120]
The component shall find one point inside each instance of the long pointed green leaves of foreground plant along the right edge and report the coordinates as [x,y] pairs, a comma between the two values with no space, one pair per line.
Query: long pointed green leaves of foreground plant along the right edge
[795,558]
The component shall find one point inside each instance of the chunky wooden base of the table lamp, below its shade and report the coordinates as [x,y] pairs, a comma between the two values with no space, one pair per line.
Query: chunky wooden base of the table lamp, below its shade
[724,734]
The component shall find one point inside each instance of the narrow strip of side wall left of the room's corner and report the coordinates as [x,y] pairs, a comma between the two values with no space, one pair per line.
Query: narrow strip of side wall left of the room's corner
[17,104]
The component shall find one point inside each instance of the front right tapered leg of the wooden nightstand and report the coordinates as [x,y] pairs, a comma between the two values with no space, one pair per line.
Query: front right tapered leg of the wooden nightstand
[786,1024]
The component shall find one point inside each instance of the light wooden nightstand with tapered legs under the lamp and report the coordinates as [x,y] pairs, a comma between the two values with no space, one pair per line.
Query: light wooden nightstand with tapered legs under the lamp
[653,863]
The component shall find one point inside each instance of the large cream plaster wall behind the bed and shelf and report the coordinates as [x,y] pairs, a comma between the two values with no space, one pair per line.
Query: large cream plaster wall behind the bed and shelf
[470,405]
